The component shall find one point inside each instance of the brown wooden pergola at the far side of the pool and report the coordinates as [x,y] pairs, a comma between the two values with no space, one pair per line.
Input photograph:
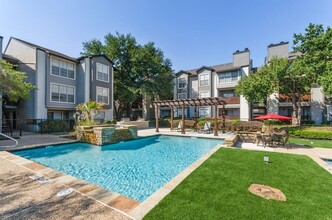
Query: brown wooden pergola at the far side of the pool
[196,102]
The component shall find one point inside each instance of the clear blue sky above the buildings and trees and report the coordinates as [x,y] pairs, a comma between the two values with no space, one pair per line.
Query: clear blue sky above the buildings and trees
[191,33]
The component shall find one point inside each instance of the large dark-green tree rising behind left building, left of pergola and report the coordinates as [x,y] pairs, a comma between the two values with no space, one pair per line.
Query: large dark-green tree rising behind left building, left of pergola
[140,70]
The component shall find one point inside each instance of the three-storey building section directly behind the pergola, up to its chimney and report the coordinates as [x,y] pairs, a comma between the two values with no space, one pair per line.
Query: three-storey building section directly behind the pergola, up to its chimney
[215,81]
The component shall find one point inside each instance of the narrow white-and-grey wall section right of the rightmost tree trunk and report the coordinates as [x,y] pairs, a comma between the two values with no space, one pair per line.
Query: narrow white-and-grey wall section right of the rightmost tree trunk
[317,106]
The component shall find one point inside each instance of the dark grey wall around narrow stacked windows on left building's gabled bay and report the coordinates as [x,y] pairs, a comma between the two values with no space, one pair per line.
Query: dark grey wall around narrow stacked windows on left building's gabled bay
[94,83]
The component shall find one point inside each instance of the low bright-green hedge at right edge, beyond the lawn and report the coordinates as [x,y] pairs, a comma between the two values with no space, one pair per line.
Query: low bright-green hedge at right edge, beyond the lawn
[310,134]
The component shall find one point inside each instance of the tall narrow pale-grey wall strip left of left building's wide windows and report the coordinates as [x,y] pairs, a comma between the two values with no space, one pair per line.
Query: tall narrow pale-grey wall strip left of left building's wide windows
[40,107]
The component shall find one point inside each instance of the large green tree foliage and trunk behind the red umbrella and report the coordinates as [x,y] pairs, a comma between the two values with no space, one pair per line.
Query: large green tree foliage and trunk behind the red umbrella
[294,77]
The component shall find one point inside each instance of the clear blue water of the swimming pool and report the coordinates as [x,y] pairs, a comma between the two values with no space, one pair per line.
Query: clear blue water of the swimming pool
[135,168]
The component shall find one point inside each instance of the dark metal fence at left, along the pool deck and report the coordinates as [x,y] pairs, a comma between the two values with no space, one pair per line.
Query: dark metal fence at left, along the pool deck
[15,128]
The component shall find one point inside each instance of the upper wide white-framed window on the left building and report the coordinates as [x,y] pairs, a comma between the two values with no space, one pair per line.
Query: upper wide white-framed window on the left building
[62,68]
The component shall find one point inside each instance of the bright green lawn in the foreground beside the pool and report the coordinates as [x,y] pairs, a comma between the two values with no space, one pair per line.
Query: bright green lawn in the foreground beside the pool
[219,189]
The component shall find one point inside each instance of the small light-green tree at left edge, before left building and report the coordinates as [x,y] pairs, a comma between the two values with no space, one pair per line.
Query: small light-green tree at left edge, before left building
[13,83]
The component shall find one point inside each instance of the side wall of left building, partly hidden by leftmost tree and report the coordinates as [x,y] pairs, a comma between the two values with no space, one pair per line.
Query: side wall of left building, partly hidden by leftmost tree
[27,56]
